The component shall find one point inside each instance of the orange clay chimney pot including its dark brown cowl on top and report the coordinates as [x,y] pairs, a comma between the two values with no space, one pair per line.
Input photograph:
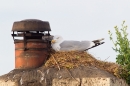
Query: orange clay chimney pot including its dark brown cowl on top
[31,51]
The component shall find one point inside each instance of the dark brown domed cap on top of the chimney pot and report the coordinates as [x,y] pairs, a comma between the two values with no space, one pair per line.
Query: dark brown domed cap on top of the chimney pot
[31,25]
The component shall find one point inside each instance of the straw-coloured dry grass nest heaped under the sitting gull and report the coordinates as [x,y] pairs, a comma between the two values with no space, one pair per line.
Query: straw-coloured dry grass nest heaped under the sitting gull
[74,59]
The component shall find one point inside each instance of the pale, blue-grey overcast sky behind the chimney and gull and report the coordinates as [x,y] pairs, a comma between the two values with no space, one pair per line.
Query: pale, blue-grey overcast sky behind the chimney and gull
[73,19]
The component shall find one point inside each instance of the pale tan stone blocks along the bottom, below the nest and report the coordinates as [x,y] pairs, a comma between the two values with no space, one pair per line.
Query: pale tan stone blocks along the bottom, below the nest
[88,82]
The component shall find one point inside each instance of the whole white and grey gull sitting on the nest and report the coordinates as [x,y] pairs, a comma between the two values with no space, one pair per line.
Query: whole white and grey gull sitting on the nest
[58,44]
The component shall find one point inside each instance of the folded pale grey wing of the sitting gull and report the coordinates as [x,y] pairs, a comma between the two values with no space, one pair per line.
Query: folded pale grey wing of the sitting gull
[76,45]
